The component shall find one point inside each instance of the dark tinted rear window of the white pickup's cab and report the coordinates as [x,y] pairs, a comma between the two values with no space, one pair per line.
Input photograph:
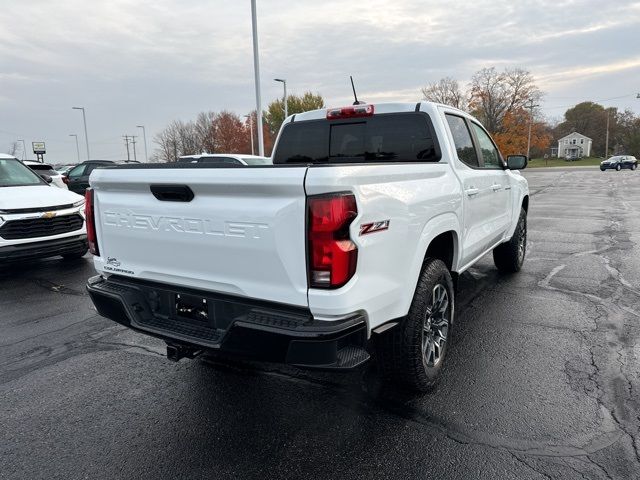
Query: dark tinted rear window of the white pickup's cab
[382,138]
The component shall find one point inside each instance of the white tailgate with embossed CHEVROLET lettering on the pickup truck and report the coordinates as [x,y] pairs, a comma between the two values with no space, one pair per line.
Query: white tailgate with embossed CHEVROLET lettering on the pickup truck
[243,233]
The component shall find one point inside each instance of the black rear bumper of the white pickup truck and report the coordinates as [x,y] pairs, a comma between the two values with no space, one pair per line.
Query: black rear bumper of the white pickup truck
[252,329]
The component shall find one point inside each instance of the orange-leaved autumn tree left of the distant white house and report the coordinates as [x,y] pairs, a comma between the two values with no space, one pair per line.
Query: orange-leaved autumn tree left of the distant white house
[512,137]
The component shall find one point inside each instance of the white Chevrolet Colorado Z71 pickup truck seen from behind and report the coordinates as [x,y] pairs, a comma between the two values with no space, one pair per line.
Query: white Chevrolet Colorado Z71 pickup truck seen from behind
[351,242]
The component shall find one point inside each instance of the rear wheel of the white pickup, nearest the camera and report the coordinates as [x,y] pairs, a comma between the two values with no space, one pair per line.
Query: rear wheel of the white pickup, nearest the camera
[412,354]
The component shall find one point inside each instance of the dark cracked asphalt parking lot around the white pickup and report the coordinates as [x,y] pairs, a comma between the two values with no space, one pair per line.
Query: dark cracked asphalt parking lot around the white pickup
[542,378]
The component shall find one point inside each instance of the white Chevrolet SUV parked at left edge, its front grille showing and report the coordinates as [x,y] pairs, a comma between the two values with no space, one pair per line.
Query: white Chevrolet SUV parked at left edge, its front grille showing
[37,219]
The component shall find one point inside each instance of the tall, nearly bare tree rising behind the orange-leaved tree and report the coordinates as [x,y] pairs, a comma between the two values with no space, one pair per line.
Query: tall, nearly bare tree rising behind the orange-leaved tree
[494,94]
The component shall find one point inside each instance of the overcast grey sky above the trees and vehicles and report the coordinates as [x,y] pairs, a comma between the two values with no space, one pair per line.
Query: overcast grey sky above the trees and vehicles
[150,62]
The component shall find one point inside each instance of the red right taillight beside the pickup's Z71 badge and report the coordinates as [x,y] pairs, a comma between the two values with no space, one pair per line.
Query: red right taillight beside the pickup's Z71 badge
[332,254]
